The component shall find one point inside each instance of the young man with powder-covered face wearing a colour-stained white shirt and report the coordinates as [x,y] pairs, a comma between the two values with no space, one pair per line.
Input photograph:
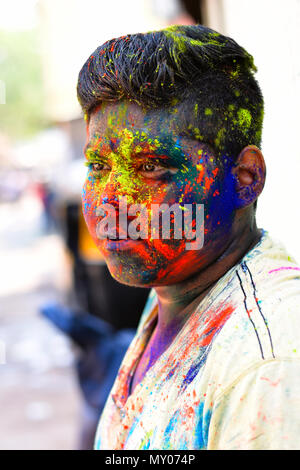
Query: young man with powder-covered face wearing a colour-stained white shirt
[174,119]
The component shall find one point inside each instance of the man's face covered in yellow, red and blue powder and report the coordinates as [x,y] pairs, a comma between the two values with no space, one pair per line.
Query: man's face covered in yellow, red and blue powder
[145,157]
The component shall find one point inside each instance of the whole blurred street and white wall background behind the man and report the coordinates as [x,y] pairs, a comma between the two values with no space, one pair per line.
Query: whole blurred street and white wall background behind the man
[60,312]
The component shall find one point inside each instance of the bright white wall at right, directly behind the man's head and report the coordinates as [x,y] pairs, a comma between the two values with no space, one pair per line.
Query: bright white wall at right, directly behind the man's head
[270,31]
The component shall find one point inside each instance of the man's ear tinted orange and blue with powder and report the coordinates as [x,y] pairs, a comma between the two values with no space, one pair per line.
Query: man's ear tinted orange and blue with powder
[250,174]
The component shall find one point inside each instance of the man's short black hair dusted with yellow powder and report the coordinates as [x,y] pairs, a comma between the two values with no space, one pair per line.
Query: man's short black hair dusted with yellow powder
[203,75]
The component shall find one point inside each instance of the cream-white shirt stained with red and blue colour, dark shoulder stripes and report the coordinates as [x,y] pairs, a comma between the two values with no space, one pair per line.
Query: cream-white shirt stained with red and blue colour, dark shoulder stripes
[231,377]
